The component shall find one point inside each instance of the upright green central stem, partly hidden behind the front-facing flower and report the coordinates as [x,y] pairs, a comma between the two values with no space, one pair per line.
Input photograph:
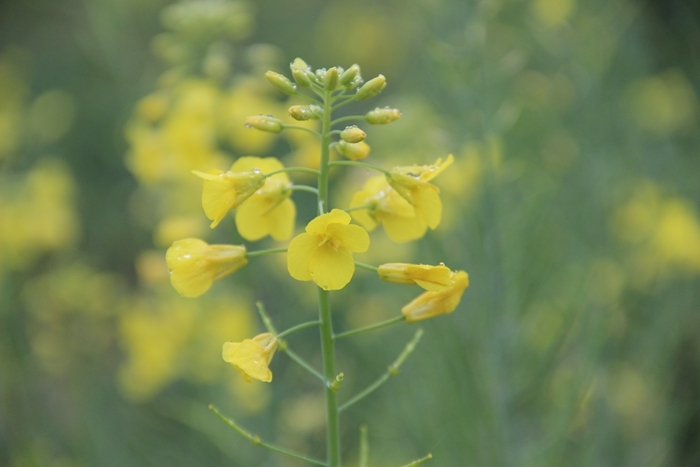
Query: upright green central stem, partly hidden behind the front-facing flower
[324,309]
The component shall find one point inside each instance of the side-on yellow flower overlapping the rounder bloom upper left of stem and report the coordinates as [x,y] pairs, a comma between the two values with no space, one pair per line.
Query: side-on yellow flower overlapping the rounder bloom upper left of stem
[225,191]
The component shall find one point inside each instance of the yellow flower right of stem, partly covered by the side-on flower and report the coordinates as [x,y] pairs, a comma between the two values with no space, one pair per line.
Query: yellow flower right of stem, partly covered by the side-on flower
[386,207]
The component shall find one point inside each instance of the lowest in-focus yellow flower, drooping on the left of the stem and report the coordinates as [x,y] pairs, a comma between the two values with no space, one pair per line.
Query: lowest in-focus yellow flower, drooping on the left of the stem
[252,356]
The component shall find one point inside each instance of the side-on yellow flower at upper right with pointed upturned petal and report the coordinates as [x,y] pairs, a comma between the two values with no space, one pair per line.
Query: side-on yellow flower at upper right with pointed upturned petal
[412,182]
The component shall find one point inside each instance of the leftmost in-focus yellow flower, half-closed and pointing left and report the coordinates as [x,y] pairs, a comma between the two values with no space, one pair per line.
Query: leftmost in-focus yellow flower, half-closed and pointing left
[194,265]
